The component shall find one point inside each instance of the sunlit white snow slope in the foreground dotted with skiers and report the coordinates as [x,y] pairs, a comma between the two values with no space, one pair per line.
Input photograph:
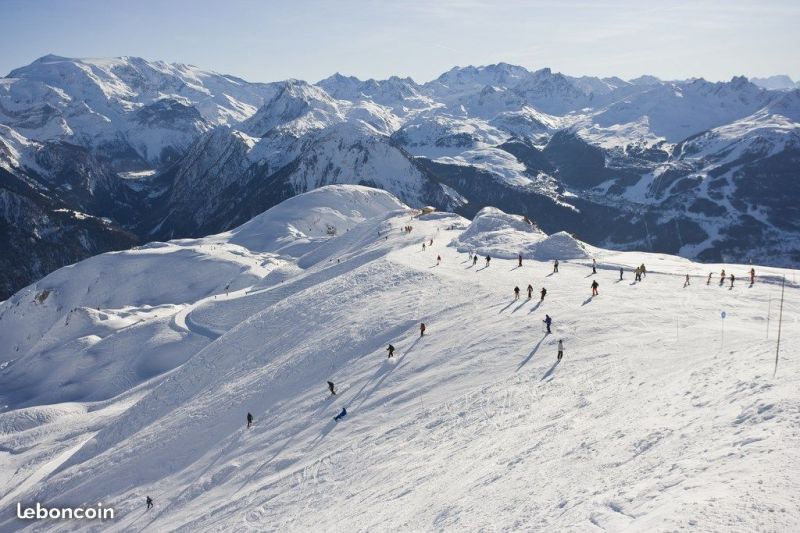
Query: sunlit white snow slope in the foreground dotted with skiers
[657,418]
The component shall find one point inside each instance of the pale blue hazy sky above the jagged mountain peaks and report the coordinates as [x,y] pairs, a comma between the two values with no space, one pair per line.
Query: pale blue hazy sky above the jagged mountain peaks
[266,40]
